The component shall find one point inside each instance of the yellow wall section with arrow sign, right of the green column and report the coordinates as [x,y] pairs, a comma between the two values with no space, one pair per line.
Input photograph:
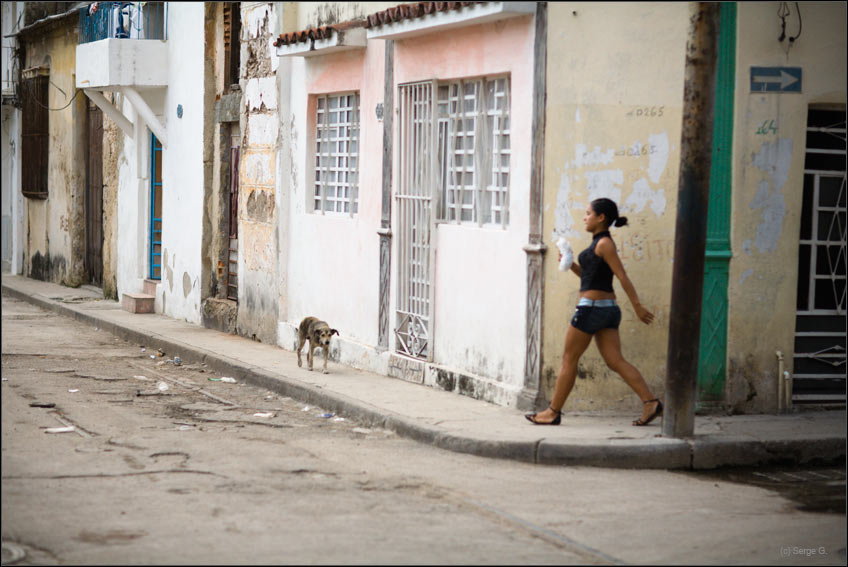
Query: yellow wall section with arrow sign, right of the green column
[767,198]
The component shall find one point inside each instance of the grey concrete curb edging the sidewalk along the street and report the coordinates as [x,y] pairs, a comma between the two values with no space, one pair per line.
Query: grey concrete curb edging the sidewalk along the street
[701,452]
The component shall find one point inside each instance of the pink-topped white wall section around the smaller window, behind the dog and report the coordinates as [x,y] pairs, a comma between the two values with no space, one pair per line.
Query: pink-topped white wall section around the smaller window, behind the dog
[333,259]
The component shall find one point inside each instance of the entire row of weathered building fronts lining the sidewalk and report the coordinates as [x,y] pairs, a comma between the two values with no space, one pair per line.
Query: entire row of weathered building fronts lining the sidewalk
[403,171]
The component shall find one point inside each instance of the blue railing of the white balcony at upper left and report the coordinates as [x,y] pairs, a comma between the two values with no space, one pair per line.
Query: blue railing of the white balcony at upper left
[130,20]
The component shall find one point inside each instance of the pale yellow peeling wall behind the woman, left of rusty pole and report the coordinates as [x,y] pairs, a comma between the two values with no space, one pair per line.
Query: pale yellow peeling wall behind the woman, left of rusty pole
[614,104]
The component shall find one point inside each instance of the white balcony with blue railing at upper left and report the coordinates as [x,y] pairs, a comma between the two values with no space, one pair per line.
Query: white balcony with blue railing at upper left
[122,44]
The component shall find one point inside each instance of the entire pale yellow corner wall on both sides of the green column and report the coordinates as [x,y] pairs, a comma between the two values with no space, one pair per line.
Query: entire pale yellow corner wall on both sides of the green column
[604,60]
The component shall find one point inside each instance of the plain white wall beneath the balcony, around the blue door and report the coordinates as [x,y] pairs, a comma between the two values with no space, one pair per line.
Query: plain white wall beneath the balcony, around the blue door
[178,294]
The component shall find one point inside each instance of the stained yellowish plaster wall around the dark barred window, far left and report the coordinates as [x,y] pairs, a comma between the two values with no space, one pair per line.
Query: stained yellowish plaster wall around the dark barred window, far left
[54,244]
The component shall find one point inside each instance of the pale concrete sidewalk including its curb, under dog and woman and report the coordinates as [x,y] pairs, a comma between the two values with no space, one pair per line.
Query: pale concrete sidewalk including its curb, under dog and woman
[452,421]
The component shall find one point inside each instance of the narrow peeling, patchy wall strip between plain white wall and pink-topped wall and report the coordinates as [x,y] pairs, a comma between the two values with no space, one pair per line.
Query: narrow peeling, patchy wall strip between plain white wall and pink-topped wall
[259,292]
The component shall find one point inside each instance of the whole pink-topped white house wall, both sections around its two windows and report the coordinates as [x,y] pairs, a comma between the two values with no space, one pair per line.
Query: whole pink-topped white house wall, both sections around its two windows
[332,260]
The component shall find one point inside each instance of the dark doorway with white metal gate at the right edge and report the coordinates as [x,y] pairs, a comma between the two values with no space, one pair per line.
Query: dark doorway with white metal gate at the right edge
[819,363]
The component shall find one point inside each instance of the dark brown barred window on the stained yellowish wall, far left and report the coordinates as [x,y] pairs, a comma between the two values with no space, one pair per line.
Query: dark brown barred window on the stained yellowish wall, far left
[35,136]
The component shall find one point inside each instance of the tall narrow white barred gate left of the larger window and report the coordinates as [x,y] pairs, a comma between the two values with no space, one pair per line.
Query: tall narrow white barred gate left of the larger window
[415,218]
